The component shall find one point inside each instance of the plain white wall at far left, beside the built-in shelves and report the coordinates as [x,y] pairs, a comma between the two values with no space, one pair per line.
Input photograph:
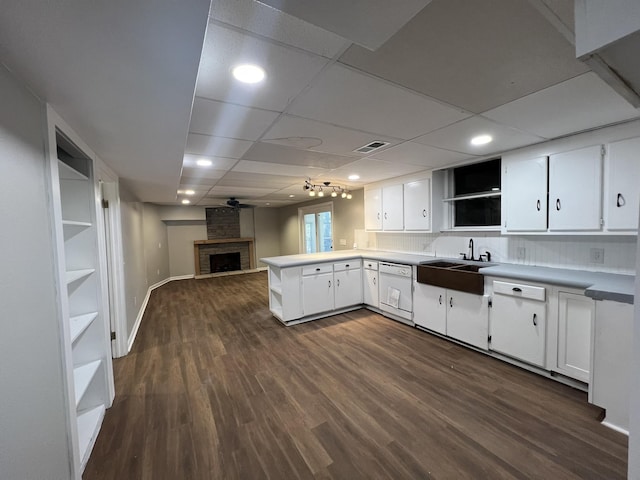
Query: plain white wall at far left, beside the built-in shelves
[33,423]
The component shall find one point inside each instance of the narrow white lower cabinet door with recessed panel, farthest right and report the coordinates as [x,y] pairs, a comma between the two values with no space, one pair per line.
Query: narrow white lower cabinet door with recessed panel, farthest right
[575,320]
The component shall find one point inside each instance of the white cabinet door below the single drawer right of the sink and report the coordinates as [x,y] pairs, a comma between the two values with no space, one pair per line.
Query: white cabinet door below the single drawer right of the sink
[518,328]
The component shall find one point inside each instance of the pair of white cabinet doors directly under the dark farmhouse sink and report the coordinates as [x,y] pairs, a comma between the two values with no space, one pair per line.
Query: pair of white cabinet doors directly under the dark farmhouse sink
[460,315]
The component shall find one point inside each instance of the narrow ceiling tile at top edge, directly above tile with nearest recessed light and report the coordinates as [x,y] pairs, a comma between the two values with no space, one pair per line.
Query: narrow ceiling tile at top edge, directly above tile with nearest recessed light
[276,25]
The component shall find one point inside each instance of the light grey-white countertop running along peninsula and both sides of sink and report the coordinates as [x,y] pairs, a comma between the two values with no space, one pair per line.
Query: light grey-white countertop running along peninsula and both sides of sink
[597,285]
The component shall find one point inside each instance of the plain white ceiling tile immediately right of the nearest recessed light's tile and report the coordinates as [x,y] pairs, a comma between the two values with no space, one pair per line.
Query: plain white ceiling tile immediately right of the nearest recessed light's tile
[345,97]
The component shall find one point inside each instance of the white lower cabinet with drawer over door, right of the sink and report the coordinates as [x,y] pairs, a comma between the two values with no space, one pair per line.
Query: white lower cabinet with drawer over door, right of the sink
[518,320]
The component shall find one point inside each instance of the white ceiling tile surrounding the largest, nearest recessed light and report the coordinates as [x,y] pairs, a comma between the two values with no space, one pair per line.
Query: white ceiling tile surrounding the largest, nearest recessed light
[288,70]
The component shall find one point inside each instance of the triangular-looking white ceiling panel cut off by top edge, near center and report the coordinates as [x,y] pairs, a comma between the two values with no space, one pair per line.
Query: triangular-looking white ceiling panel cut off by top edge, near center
[366,22]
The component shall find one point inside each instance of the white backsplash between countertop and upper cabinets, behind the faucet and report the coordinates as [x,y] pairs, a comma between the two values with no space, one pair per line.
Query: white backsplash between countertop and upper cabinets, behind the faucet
[574,252]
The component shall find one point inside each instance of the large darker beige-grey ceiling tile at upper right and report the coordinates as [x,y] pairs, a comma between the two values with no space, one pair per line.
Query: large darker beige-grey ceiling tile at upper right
[475,55]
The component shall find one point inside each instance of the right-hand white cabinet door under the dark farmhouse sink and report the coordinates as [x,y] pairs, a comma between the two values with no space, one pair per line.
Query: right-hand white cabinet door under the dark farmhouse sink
[468,318]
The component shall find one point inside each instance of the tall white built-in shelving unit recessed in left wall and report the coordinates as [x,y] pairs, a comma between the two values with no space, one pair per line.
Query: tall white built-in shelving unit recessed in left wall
[85,329]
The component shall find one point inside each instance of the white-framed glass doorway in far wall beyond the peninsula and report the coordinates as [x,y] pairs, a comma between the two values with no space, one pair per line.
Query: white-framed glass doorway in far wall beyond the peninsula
[316,228]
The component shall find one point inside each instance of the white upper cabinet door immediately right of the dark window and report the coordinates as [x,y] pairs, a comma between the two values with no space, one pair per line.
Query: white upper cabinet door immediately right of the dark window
[525,194]
